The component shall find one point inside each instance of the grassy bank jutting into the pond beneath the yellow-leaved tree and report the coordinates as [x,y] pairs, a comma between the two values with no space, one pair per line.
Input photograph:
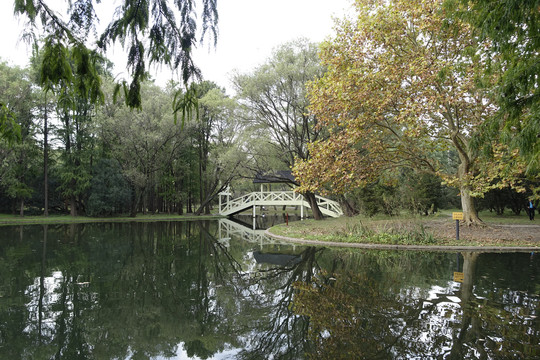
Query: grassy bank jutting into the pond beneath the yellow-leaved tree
[438,230]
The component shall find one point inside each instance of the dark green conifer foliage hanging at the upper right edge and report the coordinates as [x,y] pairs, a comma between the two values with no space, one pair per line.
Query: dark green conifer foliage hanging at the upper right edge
[512,28]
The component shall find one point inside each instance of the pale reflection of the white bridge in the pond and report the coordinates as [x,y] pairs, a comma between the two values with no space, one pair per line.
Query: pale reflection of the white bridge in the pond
[229,228]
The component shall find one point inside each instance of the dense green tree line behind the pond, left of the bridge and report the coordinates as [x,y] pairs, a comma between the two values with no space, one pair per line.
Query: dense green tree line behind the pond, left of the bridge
[105,158]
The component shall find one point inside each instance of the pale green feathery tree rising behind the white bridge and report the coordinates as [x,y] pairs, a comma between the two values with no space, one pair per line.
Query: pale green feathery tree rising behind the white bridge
[275,96]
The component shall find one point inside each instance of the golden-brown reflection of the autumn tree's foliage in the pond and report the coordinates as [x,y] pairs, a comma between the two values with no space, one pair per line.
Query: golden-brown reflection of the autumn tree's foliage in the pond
[353,316]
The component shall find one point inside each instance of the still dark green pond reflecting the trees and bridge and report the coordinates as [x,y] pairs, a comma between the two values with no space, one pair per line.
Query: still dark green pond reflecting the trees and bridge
[218,290]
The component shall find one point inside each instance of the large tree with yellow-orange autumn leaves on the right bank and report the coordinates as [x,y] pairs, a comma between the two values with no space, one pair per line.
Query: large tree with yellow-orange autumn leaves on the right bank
[402,84]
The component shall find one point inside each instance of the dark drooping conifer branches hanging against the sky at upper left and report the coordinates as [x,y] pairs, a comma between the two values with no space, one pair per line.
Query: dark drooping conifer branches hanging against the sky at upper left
[151,31]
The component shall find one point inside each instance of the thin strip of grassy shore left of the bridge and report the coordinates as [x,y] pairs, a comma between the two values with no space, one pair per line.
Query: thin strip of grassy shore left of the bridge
[66,219]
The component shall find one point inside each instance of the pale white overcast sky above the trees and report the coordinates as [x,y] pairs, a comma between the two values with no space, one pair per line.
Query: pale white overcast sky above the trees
[248,32]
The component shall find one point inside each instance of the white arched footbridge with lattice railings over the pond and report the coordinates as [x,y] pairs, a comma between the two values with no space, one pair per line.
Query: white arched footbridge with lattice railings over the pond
[228,206]
